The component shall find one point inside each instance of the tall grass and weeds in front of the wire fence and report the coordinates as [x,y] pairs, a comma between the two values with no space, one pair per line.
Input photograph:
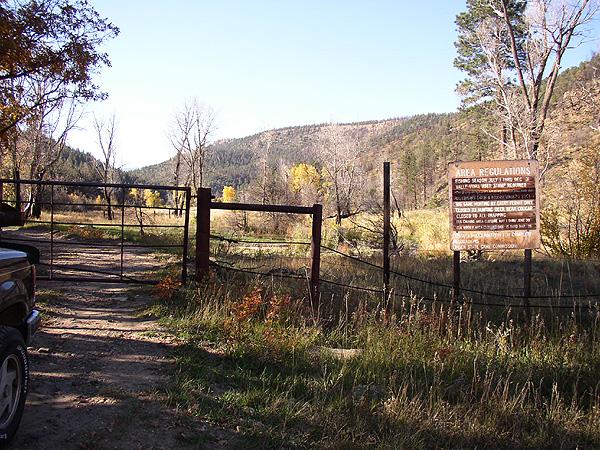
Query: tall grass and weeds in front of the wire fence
[257,359]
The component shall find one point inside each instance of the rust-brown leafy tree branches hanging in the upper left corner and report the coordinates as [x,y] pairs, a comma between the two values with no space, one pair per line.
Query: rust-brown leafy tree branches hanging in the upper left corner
[52,43]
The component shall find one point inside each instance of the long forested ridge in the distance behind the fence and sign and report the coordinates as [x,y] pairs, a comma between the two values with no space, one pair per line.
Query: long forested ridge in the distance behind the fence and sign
[419,147]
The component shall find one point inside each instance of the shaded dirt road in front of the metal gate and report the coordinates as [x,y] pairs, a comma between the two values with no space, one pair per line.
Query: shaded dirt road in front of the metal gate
[98,374]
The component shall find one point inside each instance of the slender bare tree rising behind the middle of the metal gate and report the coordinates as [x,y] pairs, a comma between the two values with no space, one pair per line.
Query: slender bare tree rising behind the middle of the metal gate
[106,166]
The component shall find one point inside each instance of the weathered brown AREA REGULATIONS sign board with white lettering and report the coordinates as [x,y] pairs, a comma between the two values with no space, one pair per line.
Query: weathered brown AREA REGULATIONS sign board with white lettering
[494,205]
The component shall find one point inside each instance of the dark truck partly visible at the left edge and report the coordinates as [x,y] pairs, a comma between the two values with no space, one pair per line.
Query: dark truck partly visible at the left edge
[19,321]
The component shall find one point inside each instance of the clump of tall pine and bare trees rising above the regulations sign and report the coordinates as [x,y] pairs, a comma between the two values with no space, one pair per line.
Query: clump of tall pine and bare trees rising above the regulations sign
[512,51]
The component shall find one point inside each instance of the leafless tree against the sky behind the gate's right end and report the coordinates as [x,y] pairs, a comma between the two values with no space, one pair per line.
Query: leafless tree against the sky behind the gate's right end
[190,136]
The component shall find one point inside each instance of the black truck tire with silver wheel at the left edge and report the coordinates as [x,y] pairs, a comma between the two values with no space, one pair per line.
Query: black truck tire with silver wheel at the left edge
[14,380]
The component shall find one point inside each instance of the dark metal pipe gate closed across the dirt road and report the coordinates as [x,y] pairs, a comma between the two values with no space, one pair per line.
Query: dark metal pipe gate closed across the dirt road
[83,236]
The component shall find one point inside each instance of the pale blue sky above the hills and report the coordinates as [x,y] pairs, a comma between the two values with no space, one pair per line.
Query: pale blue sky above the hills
[267,64]
